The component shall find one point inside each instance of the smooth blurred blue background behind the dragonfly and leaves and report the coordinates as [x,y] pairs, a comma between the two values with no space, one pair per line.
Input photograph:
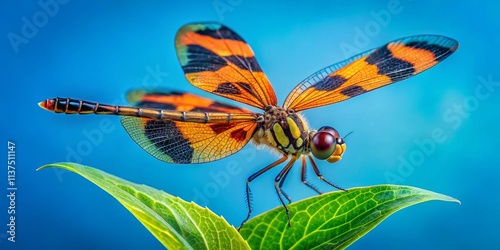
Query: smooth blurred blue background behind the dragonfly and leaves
[98,51]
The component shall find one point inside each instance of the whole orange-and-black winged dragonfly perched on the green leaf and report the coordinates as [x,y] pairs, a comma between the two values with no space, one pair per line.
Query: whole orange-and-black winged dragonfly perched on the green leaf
[184,128]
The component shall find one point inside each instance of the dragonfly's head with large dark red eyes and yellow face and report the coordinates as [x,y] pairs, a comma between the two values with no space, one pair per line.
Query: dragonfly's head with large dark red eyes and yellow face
[326,144]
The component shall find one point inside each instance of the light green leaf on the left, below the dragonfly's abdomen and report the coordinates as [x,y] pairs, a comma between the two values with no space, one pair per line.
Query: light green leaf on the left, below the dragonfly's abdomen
[175,223]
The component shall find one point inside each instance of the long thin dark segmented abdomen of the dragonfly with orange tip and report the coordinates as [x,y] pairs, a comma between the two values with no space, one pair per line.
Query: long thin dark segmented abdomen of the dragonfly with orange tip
[77,106]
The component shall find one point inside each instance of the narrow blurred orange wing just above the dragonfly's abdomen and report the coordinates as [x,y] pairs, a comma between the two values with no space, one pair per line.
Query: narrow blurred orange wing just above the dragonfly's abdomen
[180,101]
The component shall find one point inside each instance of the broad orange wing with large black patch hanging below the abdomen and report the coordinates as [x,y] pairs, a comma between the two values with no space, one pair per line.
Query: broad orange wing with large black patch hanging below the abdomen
[188,142]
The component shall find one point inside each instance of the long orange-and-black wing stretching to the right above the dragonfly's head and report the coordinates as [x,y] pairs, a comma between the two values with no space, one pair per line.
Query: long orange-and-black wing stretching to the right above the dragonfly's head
[367,71]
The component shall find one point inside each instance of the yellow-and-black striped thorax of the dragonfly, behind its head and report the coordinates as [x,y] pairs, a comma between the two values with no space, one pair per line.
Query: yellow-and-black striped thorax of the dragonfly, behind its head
[282,129]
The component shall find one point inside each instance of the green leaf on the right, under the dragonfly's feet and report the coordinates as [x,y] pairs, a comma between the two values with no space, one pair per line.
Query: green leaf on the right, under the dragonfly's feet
[333,220]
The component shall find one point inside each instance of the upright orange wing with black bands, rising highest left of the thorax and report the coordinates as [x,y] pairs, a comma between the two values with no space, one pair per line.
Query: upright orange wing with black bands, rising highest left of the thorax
[216,59]
